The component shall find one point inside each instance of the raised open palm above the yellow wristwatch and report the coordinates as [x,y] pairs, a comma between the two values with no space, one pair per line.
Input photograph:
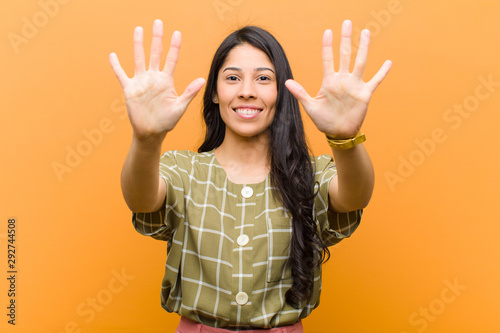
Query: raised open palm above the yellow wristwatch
[340,107]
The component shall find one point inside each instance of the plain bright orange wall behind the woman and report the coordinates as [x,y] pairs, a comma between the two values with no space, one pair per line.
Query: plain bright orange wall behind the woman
[425,258]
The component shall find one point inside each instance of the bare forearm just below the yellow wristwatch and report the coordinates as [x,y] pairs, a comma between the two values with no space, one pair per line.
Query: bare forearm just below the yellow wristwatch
[353,186]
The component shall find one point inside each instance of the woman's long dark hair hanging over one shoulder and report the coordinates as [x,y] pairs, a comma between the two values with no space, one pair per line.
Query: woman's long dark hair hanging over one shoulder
[291,169]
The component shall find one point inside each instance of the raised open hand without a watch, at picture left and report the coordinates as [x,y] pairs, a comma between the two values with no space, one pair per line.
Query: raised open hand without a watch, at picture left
[153,106]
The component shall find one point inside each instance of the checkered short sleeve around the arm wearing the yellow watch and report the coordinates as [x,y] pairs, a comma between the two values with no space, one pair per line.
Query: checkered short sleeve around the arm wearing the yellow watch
[333,226]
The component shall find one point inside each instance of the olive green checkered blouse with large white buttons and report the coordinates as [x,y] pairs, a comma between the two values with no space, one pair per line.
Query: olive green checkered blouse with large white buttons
[228,243]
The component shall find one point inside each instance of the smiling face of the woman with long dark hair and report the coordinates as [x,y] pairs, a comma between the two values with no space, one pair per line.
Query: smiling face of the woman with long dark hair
[247,92]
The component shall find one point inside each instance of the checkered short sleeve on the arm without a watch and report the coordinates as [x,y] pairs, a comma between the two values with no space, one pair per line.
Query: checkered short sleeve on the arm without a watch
[161,224]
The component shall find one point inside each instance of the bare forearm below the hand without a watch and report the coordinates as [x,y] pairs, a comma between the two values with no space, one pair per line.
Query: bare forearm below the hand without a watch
[140,180]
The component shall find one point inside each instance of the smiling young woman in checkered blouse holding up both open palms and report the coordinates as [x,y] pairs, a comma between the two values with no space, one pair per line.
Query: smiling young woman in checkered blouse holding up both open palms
[249,217]
